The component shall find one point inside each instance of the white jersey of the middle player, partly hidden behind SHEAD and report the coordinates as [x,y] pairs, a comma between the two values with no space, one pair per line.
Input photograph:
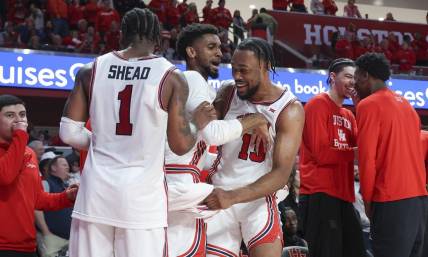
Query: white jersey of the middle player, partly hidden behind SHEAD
[190,164]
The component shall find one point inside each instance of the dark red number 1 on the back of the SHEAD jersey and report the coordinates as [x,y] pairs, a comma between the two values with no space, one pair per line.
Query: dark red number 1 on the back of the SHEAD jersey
[124,127]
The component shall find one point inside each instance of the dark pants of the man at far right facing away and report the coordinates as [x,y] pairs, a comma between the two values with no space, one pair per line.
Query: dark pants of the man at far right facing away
[398,227]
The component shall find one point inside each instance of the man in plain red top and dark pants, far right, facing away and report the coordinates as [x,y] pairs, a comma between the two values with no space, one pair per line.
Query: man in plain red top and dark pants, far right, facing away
[392,172]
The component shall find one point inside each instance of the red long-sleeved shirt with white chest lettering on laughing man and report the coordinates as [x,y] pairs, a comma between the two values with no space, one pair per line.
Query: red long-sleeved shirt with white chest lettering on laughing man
[326,154]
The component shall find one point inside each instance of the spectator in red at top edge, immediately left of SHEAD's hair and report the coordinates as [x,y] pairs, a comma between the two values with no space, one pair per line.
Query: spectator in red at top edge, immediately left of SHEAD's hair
[105,16]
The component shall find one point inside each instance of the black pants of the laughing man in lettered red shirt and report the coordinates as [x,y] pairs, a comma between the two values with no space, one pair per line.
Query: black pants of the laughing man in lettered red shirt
[331,227]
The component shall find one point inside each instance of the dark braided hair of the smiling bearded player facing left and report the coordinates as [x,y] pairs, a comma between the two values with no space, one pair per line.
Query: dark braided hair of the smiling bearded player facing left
[261,48]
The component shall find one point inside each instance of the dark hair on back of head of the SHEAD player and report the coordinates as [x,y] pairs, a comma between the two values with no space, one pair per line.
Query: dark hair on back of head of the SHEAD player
[140,22]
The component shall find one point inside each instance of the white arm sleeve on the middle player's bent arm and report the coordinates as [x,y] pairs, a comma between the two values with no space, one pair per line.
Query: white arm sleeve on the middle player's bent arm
[219,132]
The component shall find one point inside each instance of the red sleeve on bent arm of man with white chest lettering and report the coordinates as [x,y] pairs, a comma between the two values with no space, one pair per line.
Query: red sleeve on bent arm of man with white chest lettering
[316,137]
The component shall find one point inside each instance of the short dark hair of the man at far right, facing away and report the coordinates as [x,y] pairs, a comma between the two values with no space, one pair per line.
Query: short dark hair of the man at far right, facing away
[375,64]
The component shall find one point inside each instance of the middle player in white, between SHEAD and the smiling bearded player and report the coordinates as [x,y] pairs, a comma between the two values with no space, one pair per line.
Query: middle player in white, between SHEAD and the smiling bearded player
[199,44]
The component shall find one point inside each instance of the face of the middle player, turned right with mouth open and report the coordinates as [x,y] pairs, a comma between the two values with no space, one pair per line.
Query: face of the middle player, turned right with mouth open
[208,54]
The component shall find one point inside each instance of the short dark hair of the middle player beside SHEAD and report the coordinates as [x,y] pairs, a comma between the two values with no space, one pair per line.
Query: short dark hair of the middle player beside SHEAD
[190,33]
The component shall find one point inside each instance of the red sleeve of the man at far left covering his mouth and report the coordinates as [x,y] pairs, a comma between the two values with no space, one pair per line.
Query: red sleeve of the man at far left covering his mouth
[11,162]
